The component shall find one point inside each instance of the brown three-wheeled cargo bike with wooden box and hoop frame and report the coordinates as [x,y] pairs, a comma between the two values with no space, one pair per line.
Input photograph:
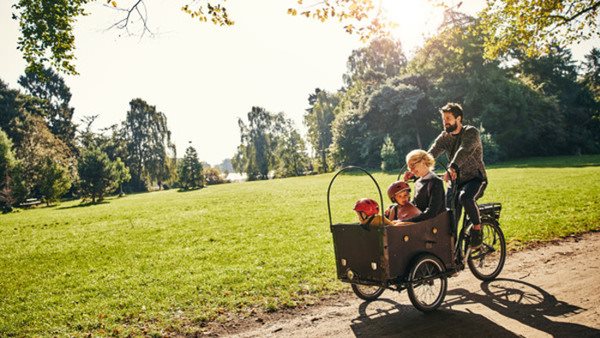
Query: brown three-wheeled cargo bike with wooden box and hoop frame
[418,257]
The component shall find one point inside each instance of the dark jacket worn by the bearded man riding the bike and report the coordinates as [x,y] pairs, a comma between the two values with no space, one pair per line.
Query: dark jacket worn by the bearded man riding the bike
[464,151]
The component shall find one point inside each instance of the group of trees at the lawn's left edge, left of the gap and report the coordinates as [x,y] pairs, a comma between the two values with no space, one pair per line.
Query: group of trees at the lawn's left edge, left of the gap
[45,155]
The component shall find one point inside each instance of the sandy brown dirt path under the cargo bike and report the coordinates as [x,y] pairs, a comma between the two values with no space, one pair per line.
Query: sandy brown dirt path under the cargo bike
[552,290]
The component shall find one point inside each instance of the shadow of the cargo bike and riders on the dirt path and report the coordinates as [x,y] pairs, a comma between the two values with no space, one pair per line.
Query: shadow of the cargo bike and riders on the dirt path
[521,301]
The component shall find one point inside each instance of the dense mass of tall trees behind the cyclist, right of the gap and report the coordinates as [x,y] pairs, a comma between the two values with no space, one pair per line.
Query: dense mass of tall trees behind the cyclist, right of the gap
[524,105]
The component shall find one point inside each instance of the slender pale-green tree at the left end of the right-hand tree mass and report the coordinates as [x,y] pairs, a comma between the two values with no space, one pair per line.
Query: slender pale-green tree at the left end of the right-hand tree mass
[318,119]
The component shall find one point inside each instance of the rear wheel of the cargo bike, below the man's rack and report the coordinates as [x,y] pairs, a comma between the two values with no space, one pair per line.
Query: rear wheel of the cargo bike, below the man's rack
[487,261]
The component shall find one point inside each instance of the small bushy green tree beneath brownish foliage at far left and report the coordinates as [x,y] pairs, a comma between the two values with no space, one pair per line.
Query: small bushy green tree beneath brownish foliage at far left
[55,181]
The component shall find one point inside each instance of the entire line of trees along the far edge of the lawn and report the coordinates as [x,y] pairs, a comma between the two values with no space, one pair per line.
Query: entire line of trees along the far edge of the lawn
[524,105]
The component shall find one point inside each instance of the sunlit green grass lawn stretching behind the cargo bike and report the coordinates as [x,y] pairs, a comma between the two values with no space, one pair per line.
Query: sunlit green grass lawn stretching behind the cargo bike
[171,261]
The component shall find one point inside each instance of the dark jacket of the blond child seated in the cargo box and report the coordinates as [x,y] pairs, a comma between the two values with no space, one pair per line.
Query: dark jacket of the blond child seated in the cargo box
[429,198]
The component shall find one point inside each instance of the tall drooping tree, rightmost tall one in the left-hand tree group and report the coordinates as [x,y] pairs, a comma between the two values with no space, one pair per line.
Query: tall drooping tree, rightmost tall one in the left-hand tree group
[148,144]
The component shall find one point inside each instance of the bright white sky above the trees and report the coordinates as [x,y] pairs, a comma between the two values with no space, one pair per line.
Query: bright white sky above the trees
[203,77]
